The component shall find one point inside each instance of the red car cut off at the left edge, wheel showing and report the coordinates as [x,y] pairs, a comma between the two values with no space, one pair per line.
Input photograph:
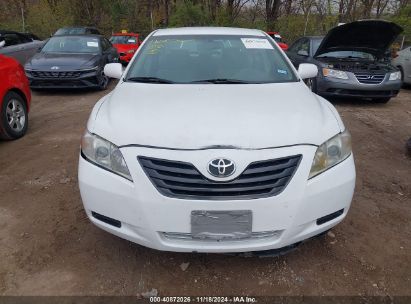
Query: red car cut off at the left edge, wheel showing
[15,99]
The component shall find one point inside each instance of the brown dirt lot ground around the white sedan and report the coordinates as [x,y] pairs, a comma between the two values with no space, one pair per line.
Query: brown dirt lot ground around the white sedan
[48,246]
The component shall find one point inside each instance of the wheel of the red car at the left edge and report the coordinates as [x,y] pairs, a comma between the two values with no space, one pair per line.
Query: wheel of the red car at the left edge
[13,117]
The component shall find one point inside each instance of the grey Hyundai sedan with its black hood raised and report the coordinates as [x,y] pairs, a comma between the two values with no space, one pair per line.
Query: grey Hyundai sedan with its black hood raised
[352,60]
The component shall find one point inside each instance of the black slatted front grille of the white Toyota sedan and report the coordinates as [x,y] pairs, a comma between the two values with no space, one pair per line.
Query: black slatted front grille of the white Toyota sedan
[182,180]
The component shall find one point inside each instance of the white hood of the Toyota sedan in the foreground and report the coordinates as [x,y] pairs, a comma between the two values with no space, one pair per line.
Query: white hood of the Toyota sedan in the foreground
[251,116]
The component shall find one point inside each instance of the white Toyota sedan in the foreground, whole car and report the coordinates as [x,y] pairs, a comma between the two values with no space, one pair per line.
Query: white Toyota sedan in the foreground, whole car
[211,142]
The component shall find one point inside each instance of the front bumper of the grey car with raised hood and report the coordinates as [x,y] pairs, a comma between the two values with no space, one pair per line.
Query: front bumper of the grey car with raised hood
[353,88]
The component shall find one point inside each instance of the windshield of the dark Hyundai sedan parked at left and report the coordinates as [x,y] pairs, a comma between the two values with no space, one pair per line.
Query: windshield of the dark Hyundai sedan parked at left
[72,45]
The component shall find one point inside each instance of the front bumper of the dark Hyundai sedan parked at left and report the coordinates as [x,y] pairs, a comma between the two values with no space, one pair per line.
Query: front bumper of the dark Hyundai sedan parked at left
[90,79]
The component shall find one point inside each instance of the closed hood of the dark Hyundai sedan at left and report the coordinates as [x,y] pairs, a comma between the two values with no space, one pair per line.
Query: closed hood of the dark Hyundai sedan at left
[41,61]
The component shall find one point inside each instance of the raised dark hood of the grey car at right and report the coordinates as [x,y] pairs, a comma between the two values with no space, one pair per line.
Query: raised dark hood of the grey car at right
[372,36]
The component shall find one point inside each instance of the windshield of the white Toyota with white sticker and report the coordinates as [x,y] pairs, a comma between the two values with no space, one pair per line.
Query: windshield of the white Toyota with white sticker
[186,59]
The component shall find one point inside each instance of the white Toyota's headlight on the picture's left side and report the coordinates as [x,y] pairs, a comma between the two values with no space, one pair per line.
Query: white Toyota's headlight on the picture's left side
[105,154]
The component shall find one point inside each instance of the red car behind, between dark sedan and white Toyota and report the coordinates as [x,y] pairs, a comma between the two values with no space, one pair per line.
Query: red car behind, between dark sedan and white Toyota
[126,45]
